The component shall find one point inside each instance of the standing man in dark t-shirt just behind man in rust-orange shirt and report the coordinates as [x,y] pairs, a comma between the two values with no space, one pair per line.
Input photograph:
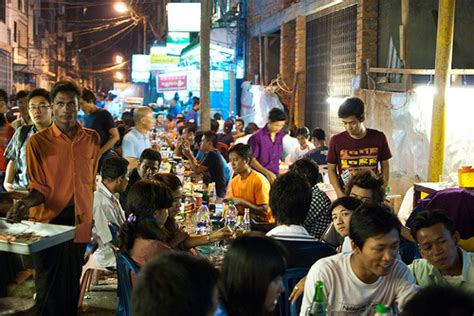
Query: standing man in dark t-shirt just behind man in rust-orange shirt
[101,121]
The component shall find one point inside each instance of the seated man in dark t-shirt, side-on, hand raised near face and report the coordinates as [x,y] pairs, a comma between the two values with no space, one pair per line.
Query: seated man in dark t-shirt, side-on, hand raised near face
[210,166]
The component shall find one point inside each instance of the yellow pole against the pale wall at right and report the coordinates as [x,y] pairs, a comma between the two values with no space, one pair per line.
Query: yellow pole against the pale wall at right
[444,52]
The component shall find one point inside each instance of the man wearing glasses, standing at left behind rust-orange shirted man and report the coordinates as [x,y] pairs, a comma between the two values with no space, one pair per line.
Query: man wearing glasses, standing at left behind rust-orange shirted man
[39,108]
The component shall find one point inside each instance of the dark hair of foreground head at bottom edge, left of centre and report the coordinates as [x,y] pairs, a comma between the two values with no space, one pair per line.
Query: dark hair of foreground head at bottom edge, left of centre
[175,283]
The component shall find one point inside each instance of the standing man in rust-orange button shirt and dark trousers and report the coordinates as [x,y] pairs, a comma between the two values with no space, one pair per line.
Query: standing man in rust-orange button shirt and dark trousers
[61,162]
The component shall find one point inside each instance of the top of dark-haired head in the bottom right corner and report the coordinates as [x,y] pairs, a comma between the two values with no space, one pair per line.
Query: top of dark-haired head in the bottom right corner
[440,300]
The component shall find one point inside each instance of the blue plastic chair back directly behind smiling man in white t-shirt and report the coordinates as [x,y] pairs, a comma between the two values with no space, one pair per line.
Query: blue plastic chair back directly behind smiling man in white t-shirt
[291,277]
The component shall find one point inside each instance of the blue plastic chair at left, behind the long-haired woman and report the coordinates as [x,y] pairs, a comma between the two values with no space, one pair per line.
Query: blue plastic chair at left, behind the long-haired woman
[125,267]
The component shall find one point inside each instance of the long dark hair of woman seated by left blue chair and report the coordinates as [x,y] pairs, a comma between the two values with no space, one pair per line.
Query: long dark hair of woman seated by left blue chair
[144,198]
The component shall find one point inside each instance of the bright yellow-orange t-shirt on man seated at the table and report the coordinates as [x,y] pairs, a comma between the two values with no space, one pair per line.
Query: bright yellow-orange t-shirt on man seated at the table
[254,189]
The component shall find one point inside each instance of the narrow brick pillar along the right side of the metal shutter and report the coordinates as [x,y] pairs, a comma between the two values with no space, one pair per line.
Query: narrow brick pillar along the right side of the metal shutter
[367,16]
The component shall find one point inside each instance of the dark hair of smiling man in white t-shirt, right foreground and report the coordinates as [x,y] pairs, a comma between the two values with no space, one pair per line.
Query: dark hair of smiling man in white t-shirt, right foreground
[372,220]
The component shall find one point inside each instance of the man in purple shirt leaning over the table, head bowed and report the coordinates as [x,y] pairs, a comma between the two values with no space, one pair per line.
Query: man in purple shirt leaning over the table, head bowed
[267,145]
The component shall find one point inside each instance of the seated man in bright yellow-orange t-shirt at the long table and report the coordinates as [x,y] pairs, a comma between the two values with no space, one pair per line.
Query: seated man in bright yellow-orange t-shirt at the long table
[248,188]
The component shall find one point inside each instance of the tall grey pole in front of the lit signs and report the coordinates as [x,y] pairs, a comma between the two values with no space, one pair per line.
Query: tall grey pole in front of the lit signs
[205,94]
